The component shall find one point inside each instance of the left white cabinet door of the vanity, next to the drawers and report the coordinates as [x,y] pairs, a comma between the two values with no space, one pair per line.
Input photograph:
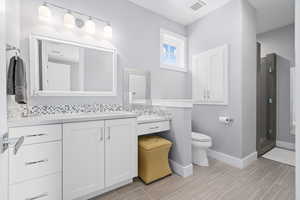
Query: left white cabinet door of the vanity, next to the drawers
[83,158]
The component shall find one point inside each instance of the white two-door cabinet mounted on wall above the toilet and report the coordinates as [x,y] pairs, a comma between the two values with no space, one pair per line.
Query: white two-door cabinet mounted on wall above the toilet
[210,76]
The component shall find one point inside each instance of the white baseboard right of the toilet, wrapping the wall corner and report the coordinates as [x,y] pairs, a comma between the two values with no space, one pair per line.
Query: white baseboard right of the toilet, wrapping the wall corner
[233,161]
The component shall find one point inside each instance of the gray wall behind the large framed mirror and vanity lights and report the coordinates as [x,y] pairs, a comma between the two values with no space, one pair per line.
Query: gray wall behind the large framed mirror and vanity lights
[136,35]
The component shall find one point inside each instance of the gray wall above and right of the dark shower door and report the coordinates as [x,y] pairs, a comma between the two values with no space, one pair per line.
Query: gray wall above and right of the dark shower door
[282,42]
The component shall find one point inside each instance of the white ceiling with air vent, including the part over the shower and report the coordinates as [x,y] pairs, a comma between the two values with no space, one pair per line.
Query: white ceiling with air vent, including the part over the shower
[271,14]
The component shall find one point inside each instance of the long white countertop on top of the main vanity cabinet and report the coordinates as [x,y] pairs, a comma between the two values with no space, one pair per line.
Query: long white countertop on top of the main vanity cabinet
[67,118]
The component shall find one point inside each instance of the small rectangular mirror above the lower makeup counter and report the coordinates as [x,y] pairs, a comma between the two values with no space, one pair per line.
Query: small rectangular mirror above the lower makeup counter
[137,87]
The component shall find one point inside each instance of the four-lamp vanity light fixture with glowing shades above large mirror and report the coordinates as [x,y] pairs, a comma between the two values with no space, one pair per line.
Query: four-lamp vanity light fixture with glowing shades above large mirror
[70,21]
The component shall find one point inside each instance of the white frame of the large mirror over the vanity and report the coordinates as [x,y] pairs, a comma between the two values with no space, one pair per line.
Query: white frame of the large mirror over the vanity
[34,69]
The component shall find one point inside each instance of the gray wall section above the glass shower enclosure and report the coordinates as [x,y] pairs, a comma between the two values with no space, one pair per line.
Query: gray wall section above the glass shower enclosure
[280,41]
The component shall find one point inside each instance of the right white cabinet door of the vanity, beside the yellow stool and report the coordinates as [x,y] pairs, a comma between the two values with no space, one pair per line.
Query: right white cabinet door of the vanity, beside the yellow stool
[121,150]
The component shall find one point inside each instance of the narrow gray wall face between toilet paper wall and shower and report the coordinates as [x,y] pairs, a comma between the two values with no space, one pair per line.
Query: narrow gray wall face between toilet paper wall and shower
[249,66]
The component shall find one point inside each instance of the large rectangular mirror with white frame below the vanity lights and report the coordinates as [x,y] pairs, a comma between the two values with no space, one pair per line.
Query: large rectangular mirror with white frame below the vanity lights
[62,68]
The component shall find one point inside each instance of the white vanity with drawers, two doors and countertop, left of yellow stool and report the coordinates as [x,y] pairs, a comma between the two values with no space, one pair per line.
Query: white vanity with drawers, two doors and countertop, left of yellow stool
[72,157]
